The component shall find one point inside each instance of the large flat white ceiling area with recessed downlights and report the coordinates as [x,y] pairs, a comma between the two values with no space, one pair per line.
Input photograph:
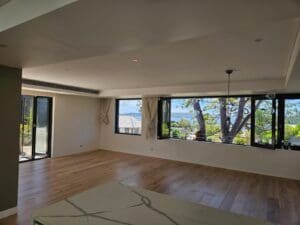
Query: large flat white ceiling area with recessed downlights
[91,43]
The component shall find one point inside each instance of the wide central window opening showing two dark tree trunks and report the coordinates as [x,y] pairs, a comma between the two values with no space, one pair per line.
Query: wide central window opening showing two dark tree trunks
[225,120]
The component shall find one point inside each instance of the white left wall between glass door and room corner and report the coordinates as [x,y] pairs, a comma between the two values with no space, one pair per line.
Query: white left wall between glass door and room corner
[75,123]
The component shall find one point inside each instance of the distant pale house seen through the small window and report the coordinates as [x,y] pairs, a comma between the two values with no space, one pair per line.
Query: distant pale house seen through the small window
[129,124]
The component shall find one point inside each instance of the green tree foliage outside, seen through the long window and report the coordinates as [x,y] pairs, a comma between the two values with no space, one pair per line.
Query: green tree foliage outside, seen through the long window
[211,108]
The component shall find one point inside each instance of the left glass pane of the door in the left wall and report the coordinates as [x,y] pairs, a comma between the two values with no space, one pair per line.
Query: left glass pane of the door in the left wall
[26,128]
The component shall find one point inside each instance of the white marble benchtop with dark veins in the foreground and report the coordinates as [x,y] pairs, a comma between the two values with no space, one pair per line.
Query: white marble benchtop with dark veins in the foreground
[114,203]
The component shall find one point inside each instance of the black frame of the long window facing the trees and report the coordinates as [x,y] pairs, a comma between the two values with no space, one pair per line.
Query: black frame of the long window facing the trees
[277,99]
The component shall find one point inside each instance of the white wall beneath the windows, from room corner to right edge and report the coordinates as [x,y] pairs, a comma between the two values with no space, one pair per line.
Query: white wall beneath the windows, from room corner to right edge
[279,163]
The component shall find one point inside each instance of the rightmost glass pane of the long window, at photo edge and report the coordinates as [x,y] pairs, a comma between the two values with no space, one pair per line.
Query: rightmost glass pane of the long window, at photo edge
[292,122]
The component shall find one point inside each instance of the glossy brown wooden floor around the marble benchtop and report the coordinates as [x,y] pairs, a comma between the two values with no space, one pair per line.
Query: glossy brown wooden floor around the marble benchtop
[50,180]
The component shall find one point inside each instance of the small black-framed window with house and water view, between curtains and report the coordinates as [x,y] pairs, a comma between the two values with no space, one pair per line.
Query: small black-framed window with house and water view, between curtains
[128,116]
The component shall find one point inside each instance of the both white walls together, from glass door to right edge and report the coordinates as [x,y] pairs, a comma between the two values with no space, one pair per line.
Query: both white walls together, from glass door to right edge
[76,123]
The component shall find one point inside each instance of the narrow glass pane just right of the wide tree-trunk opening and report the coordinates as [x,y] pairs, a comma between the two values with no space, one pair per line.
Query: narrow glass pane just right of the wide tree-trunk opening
[263,122]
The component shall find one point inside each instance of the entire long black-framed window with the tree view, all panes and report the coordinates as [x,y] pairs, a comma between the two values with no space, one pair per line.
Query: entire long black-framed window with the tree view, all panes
[263,121]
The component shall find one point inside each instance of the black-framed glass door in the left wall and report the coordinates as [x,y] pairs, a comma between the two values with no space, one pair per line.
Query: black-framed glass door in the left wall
[35,128]
